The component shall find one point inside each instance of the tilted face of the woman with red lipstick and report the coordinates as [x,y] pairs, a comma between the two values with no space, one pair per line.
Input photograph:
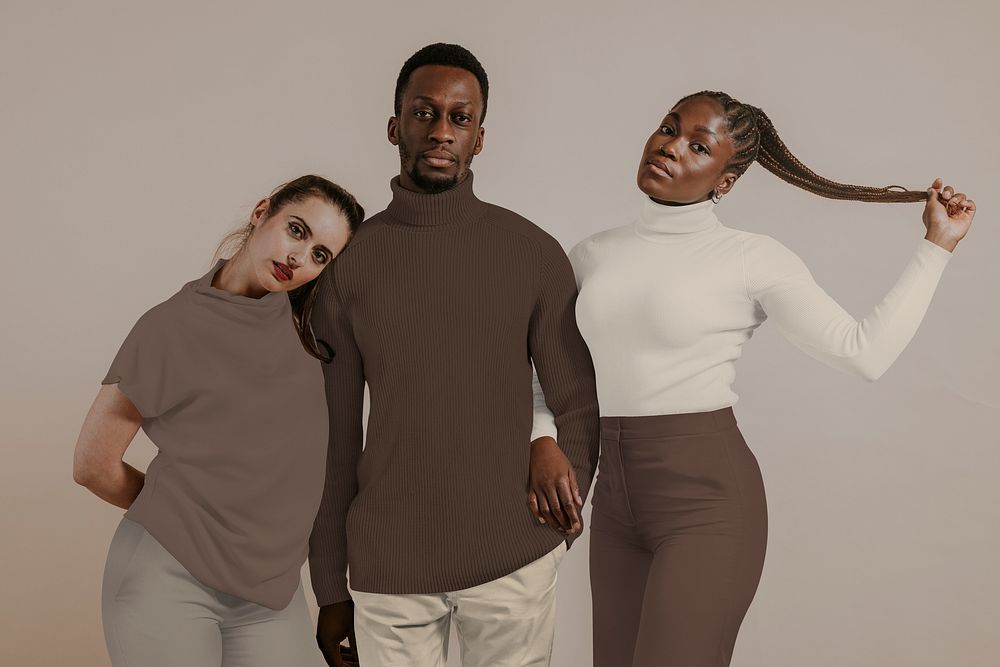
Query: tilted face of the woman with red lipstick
[291,246]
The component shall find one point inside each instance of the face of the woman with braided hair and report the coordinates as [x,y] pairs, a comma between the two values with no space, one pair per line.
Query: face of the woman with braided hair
[684,159]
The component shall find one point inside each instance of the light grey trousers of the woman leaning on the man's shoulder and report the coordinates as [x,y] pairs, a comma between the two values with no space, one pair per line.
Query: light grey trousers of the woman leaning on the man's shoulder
[157,615]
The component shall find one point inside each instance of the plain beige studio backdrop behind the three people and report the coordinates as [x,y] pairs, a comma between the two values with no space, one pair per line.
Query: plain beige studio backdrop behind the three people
[133,135]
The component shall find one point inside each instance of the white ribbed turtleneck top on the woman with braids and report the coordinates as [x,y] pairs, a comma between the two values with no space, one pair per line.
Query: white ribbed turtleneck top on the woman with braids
[666,304]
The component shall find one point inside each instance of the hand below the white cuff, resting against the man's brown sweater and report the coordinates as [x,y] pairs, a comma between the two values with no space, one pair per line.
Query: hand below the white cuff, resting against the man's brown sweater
[553,492]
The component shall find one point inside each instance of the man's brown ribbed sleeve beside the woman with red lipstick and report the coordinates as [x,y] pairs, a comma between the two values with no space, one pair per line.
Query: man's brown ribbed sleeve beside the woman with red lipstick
[345,382]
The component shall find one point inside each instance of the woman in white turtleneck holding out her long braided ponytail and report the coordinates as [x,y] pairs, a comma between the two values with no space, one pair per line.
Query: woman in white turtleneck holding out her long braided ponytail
[679,525]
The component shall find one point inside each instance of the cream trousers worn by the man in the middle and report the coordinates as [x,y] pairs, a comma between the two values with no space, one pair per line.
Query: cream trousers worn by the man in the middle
[505,622]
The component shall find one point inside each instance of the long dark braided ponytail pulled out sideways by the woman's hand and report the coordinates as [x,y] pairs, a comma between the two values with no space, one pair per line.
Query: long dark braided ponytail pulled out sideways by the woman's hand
[755,139]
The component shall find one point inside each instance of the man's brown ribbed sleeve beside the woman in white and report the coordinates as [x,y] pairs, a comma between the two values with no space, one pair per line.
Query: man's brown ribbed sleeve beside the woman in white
[563,364]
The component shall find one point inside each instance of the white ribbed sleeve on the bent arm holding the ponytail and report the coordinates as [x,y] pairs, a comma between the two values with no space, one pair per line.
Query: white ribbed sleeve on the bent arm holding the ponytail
[805,314]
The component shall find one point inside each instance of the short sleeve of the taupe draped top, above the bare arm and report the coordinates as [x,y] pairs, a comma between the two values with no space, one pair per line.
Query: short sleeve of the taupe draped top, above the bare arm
[141,369]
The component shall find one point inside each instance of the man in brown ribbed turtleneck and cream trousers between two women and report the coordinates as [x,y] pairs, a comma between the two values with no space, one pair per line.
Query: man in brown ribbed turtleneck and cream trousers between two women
[440,304]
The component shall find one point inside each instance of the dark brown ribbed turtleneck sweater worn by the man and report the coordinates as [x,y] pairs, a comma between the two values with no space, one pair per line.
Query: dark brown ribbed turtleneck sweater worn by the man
[440,303]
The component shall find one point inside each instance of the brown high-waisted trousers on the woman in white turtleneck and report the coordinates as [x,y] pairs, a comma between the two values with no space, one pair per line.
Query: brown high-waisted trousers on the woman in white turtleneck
[677,539]
